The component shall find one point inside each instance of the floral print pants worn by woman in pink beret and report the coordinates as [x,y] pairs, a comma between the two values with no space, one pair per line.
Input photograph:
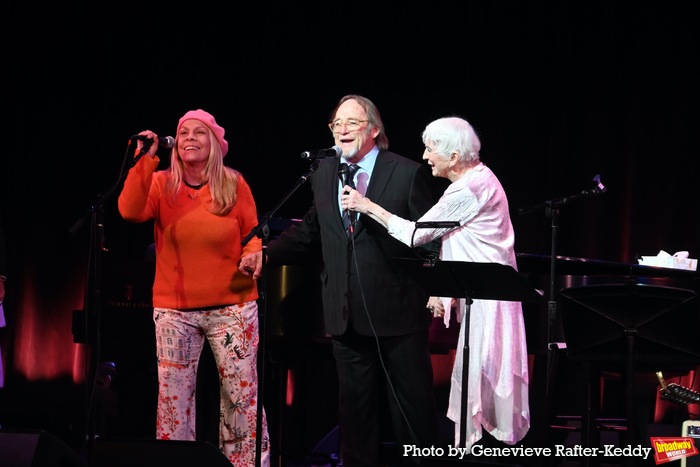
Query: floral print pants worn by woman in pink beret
[232,333]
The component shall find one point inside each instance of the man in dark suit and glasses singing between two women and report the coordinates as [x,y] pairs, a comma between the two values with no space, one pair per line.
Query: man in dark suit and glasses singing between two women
[374,311]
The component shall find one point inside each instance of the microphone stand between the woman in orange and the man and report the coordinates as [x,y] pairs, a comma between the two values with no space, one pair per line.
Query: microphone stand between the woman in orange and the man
[262,230]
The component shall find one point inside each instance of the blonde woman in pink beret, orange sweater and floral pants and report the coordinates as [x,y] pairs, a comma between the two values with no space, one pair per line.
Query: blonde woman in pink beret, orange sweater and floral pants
[201,211]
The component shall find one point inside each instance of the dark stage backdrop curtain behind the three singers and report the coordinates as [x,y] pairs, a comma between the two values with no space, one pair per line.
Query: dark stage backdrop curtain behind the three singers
[558,91]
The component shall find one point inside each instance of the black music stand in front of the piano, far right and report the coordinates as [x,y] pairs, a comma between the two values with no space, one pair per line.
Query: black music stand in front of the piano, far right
[630,324]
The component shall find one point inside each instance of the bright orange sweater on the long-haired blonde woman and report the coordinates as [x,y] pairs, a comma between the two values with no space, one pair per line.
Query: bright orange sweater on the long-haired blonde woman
[197,252]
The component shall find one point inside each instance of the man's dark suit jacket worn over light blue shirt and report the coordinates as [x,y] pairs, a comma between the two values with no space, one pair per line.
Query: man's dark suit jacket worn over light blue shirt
[395,302]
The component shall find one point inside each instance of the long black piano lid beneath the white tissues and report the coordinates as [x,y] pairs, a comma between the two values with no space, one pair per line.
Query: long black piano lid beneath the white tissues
[565,265]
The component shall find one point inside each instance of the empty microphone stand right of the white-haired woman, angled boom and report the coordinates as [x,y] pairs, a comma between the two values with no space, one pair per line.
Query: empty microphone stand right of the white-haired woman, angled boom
[552,208]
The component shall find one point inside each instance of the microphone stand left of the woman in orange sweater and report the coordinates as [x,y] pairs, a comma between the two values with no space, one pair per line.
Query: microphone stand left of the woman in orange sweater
[92,313]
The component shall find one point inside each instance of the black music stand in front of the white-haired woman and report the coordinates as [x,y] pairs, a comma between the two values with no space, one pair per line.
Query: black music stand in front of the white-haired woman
[469,280]
